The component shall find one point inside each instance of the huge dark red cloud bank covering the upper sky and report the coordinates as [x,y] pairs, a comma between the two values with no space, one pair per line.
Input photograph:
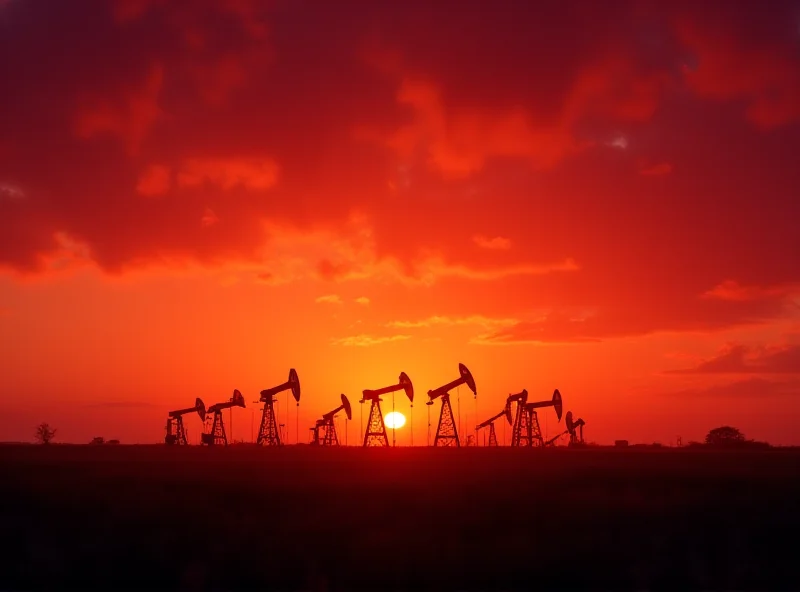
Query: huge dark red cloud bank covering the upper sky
[143,132]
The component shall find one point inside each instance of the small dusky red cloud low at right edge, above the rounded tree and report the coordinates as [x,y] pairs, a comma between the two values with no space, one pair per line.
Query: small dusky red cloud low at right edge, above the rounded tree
[741,359]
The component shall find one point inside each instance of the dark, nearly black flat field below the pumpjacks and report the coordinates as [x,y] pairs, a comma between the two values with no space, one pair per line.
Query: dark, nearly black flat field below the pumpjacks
[117,517]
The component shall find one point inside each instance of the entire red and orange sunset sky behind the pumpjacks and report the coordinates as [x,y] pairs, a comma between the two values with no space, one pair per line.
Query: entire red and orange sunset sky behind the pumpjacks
[599,197]
